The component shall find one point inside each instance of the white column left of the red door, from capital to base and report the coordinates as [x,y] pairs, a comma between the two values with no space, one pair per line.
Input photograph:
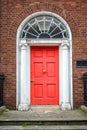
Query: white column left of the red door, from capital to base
[23,77]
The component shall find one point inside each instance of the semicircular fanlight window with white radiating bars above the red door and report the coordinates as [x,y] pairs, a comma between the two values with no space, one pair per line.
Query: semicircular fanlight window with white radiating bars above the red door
[44,27]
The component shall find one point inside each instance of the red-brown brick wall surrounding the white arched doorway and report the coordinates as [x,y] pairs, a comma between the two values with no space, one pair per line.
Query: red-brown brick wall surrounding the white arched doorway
[13,12]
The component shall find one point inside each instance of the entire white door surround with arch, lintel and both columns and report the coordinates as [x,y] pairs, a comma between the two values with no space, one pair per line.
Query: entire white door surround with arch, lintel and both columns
[23,61]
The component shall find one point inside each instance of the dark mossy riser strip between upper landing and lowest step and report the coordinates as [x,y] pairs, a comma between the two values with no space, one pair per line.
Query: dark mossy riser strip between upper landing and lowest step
[43,122]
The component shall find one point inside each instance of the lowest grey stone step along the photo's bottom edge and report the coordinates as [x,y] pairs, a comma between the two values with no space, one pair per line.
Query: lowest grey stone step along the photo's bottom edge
[47,127]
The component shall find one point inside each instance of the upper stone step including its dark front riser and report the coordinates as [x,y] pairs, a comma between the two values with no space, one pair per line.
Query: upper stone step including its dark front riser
[43,117]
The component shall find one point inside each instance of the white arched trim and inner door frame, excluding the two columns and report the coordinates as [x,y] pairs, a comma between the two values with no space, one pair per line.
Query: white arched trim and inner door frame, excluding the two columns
[42,42]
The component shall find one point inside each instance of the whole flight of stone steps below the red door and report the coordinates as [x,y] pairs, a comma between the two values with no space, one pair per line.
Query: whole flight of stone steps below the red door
[43,118]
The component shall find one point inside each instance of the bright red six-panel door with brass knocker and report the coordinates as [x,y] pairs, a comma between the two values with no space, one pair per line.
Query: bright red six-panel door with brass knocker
[44,75]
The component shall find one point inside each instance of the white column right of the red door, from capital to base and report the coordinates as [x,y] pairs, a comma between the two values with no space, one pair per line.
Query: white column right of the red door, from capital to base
[65,76]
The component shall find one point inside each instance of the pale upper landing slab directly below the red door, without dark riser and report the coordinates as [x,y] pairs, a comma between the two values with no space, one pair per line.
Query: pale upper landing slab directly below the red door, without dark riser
[44,114]
